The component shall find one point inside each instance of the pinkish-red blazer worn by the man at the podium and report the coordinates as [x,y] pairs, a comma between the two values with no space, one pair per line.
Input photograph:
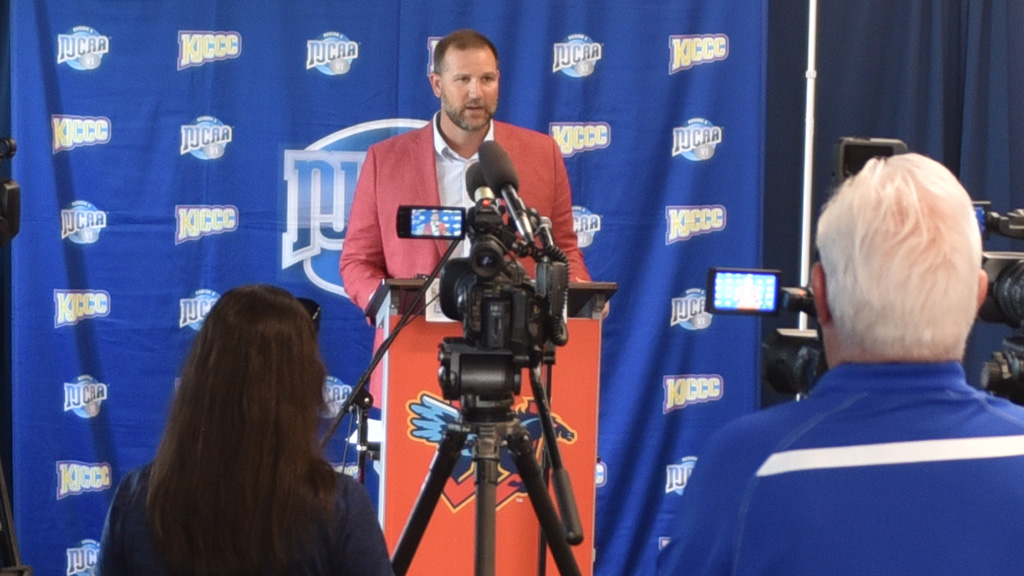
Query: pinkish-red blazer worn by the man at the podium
[402,171]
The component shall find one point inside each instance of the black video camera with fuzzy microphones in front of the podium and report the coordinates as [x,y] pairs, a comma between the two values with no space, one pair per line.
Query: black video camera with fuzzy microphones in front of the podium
[507,317]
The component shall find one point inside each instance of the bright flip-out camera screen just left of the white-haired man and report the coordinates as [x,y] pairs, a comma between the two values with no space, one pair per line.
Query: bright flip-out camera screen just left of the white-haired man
[743,292]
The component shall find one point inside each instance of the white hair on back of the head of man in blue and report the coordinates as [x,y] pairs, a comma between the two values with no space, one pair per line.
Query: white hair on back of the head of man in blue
[902,251]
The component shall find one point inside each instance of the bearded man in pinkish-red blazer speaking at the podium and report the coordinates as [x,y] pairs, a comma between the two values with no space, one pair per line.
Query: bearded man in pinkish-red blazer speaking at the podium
[428,167]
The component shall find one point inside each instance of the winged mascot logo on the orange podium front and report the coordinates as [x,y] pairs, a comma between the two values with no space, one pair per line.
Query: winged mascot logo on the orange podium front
[429,418]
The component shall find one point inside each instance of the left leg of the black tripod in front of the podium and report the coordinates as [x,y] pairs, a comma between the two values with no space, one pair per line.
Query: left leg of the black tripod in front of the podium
[448,456]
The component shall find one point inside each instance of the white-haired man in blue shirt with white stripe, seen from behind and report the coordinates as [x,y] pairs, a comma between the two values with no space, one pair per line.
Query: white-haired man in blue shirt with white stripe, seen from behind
[893,465]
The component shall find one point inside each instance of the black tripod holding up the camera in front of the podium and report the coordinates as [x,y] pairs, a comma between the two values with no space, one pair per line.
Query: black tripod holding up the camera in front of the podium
[492,422]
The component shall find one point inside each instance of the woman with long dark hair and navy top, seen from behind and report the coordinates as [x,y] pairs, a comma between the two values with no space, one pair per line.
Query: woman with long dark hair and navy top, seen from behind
[239,484]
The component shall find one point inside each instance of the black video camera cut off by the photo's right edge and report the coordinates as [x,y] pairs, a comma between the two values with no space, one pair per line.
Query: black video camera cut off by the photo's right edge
[1003,375]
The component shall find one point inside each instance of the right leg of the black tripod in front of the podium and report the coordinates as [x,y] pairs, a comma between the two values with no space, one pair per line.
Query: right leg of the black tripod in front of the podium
[522,448]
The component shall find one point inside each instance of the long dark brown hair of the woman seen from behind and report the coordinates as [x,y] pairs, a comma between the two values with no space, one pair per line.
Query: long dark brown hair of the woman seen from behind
[239,482]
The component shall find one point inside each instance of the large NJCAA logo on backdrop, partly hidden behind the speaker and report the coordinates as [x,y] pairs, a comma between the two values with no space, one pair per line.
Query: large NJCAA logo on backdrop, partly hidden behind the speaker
[321,187]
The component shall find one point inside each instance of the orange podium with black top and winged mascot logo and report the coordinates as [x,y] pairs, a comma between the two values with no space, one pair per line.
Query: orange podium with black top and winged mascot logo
[414,415]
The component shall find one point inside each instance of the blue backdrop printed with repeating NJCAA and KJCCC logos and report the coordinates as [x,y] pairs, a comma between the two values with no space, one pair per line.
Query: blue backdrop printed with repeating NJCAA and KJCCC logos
[170,151]
